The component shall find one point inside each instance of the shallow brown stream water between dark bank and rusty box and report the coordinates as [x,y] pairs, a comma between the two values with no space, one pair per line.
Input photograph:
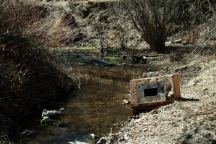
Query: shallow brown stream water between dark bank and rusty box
[96,108]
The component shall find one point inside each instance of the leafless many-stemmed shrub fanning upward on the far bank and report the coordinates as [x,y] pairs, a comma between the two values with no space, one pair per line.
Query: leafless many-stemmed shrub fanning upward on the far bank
[151,18]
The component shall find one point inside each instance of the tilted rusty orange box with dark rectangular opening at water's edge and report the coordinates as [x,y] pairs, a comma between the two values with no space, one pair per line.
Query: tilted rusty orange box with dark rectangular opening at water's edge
[150,93]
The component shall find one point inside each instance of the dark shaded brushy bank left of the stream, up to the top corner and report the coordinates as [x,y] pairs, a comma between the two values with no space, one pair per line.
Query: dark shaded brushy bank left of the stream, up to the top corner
[29,77]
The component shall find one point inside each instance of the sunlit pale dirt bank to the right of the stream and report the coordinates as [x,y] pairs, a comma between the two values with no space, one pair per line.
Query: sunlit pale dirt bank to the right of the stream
[191,120]
